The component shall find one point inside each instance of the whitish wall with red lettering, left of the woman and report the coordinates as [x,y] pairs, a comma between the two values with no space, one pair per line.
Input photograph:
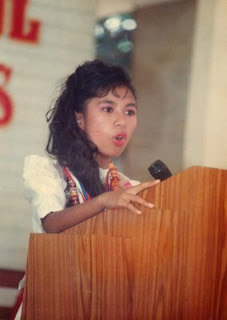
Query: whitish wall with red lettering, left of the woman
[30,70]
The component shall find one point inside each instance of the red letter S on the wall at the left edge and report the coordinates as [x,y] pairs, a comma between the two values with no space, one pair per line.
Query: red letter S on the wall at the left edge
[6,104]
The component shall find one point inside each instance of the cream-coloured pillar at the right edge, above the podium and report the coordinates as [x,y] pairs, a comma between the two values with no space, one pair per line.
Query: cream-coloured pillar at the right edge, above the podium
[206,126]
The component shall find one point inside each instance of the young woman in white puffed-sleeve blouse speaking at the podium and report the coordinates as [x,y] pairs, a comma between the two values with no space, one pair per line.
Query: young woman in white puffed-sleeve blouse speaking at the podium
[91,123]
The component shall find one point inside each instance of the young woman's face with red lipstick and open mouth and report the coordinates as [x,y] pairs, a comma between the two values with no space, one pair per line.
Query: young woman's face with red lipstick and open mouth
[109,123]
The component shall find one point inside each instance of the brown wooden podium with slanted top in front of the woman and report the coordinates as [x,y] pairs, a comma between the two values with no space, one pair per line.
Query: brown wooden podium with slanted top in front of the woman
[169,263]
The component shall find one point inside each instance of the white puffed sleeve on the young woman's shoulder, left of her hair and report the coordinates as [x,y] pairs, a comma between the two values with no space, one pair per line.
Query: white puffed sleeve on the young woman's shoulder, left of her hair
[43,187]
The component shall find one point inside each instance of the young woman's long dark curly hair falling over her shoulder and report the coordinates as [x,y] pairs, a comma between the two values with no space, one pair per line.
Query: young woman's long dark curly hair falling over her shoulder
[67,142]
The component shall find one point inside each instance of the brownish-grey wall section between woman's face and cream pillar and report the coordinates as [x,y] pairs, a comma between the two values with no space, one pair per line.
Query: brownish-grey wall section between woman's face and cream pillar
[163,44]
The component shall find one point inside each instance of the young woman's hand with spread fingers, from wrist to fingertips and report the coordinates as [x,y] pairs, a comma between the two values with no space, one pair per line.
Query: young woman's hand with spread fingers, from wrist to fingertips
[124,198]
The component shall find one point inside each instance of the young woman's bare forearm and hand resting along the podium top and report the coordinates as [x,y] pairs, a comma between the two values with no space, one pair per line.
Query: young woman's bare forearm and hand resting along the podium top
[59,221]
